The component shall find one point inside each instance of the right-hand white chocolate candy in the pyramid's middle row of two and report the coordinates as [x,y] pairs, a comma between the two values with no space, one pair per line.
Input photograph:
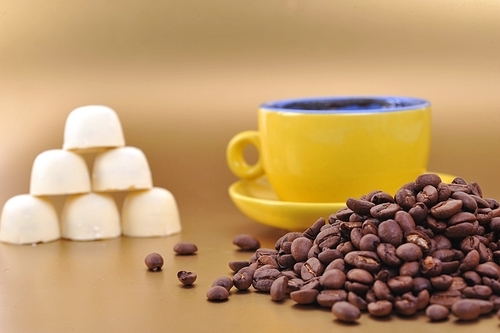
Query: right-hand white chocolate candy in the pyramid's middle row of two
[121,169]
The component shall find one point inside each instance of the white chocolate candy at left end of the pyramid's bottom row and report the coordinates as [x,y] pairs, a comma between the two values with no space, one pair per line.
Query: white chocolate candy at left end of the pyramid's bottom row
[27,219]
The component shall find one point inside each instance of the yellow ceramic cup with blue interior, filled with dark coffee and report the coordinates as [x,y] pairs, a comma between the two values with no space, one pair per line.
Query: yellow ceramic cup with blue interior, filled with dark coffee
[328,149]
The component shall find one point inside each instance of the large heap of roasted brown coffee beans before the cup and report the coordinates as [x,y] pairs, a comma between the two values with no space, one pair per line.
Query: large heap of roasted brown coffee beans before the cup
[432,247]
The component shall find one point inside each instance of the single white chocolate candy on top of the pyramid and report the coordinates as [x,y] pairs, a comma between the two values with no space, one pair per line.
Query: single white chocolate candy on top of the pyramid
[93,128]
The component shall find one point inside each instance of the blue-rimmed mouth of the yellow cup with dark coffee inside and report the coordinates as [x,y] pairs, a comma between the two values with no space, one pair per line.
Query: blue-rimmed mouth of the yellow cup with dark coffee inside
[346,104]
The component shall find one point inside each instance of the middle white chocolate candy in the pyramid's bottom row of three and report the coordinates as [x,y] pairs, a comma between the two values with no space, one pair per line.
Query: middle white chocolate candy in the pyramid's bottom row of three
[90,216]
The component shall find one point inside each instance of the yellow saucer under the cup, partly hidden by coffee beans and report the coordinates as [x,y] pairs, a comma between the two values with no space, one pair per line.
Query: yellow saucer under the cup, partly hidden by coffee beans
[257,200]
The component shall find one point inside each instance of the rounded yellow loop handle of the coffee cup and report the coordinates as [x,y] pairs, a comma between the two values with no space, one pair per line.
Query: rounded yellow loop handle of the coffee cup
[235,159]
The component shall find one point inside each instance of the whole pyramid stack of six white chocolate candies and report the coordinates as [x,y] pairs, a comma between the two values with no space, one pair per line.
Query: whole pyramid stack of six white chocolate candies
[90,212]
